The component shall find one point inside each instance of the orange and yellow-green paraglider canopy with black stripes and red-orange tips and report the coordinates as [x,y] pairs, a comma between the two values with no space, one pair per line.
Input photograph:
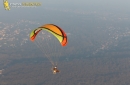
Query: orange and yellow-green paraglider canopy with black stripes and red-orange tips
[53,29]
